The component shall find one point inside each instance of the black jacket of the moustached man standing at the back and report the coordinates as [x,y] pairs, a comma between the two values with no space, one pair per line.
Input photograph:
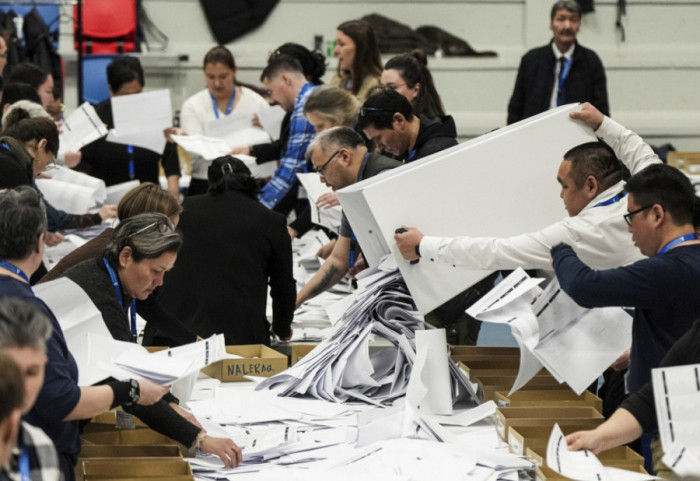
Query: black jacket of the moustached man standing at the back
[535,82]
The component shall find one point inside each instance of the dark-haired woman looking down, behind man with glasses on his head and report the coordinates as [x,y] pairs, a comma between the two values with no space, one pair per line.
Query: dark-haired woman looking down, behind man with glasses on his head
[408,75]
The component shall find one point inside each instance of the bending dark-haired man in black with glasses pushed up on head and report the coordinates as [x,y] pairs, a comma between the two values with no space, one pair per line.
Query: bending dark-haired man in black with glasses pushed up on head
[387,119]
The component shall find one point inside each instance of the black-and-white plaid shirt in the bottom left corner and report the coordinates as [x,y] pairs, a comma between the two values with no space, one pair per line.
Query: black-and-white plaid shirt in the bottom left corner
[43,460]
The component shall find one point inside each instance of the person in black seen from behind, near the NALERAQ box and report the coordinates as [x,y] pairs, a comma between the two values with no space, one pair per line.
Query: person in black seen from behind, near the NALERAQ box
[243,247]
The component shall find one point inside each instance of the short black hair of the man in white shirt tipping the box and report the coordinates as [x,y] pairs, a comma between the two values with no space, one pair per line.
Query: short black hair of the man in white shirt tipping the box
[597,159]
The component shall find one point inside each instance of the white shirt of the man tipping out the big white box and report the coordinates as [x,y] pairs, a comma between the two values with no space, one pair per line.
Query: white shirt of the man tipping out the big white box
[598,234]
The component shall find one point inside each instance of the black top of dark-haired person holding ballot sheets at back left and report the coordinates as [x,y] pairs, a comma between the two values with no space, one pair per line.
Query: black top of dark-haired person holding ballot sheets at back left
[110,161]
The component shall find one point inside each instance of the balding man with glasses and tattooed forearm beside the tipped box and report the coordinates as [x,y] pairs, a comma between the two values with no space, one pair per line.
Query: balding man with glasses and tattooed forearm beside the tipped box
[340,156]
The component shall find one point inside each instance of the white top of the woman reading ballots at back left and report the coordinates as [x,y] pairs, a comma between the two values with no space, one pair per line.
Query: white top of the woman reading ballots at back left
[198,111]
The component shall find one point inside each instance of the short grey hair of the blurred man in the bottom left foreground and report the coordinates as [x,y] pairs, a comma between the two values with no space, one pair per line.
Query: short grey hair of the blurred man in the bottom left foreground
[23,324]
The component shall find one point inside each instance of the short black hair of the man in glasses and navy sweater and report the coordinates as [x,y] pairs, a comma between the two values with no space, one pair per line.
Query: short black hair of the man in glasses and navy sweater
[667,186]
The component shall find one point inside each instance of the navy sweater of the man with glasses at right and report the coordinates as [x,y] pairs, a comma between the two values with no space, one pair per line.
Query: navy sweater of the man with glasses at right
[662,289]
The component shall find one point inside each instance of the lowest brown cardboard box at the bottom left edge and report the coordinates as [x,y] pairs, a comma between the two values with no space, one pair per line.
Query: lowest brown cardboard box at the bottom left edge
[93,470]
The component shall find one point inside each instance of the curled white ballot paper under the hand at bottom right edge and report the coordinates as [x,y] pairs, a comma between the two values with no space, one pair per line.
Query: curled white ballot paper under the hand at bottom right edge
[583,465]
